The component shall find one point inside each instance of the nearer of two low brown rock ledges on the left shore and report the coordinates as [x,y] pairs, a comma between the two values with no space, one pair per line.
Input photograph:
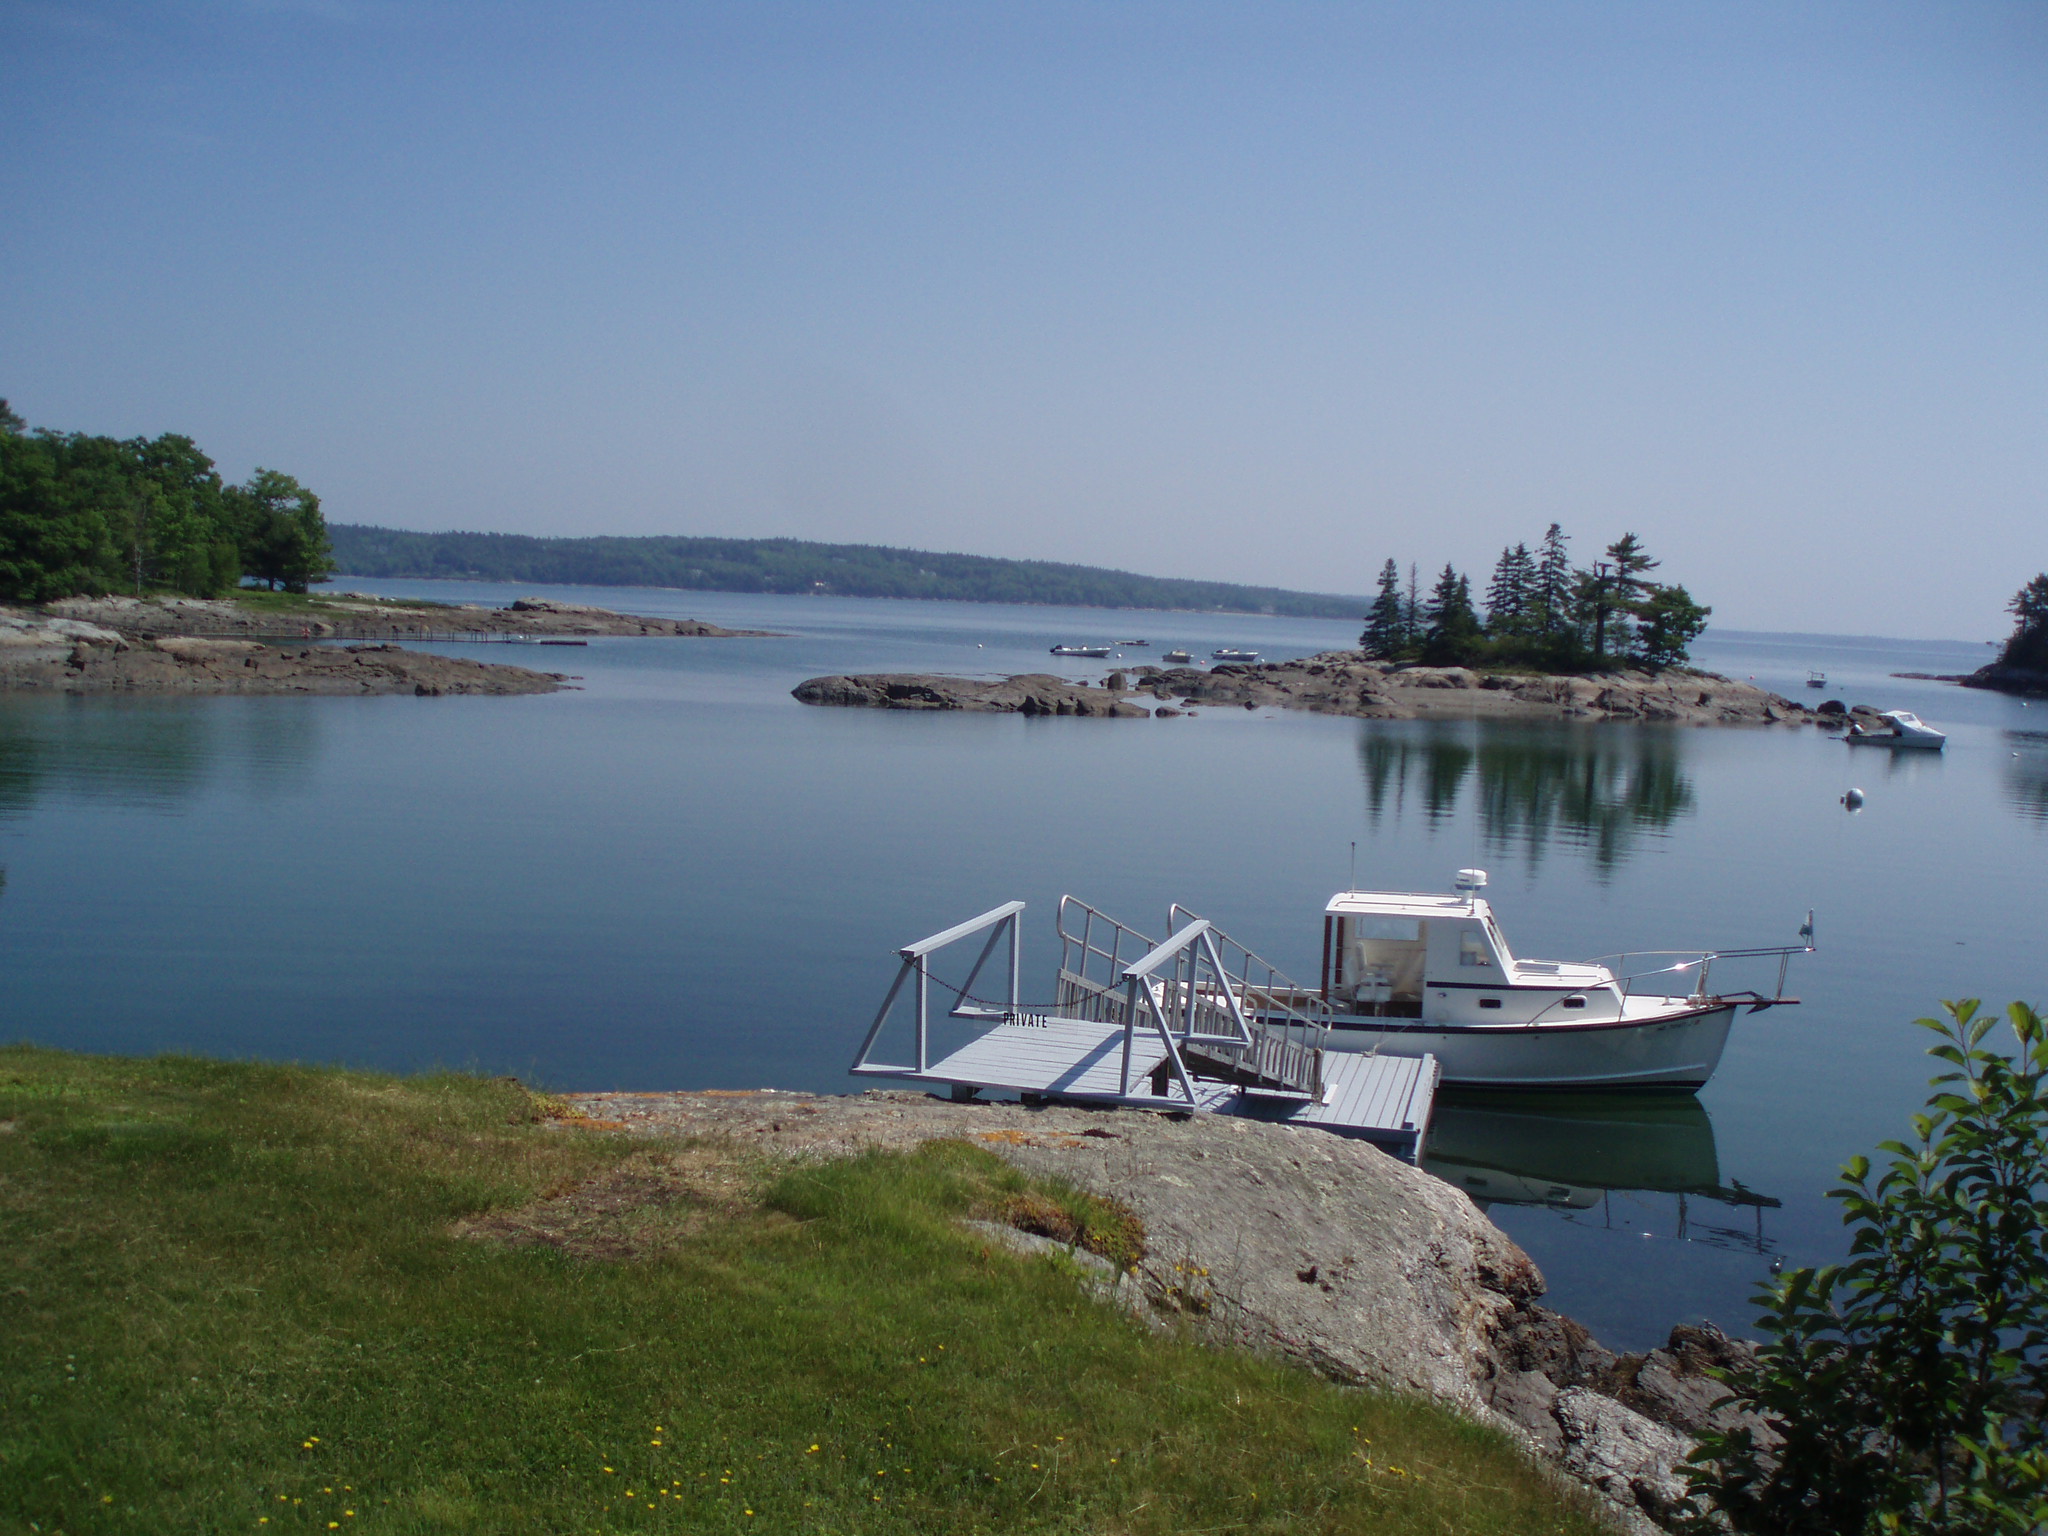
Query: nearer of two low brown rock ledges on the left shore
[77,658]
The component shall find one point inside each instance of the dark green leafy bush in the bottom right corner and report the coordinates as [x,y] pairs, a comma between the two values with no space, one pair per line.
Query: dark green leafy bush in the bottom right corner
[1904,1392]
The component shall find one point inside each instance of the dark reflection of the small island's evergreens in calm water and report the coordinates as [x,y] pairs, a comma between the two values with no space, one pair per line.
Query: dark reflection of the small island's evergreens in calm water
[1584,787]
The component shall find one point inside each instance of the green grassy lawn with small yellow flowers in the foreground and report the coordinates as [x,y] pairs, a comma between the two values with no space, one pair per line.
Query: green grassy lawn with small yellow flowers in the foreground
[239,1299]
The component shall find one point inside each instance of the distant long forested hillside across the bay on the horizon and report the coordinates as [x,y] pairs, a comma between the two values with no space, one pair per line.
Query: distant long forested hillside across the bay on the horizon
[798,566]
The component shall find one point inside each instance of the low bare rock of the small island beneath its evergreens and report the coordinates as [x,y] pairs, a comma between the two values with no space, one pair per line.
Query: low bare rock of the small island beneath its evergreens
[1336,683]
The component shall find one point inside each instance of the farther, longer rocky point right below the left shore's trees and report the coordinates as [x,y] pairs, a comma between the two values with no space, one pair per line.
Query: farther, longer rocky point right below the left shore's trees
[353,615]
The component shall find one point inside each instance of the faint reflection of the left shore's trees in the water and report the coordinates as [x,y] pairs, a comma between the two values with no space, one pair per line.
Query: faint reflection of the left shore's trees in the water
[153,755]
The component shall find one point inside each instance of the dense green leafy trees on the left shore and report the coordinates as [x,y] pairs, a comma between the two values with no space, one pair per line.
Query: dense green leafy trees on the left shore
[93,515]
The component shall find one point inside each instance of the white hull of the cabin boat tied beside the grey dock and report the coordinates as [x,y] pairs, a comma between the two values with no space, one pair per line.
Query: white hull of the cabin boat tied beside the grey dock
[1672,1052]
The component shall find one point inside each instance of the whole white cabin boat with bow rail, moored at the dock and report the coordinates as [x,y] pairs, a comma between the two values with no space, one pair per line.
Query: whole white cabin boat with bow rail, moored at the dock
[1433,976]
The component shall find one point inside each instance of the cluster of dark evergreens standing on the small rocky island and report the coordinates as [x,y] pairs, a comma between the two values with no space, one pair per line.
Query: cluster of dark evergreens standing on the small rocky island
[1539,611]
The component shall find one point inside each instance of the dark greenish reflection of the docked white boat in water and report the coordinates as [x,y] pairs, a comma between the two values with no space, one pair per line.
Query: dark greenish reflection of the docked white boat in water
[1574,1154]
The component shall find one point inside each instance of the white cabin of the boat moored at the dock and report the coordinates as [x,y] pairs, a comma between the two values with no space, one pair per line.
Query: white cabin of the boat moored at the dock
[1390,953]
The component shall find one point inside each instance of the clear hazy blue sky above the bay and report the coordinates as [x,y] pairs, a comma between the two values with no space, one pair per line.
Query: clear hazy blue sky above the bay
[1240,292]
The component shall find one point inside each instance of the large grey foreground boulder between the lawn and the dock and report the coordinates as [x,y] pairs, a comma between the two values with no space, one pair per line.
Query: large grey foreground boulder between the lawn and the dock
[1304,1244]
